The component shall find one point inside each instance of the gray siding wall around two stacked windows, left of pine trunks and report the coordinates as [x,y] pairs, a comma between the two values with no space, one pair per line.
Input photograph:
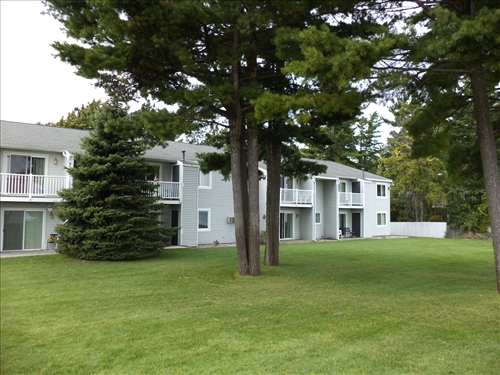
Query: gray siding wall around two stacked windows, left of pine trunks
[219,200]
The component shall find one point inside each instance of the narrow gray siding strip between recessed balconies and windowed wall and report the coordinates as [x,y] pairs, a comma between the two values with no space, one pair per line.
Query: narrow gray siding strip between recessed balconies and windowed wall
[189,212]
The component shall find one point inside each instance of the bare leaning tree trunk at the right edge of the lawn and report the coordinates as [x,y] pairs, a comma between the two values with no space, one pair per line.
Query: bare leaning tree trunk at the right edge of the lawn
[489,157]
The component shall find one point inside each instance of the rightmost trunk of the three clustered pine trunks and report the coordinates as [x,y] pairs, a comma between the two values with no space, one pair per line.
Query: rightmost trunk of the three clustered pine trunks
[271,256]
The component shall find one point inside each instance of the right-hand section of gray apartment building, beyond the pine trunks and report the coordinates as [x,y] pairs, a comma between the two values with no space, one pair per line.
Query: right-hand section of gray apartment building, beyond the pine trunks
[342,202]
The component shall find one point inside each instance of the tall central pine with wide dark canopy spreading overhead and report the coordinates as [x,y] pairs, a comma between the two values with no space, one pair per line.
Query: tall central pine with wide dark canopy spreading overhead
[213,60]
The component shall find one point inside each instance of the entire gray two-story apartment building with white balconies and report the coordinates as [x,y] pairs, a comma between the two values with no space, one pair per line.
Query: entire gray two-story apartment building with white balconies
[33,164]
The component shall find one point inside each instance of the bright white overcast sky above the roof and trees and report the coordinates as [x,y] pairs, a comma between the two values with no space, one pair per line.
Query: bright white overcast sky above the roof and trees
[36,86]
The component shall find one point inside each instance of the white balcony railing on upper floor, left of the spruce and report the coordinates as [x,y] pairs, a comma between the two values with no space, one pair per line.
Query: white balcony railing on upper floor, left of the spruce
[29,185]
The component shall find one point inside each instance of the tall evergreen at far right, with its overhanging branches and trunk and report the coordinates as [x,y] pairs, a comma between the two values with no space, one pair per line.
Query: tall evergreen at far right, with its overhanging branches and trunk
[450,53]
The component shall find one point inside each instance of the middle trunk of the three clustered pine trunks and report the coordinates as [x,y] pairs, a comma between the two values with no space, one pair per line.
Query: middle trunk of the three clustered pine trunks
[253,199]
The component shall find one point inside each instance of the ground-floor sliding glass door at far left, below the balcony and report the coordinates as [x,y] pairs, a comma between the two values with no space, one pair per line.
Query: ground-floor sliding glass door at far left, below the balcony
[22,230]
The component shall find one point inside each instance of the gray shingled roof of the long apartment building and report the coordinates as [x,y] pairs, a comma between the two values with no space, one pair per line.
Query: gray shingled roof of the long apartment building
[35,137]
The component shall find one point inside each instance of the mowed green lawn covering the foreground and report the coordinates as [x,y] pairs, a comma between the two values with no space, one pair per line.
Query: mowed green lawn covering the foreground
[391,306]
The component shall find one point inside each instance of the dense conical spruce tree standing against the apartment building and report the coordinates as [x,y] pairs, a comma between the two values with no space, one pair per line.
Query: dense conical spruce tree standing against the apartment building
[111,211]
